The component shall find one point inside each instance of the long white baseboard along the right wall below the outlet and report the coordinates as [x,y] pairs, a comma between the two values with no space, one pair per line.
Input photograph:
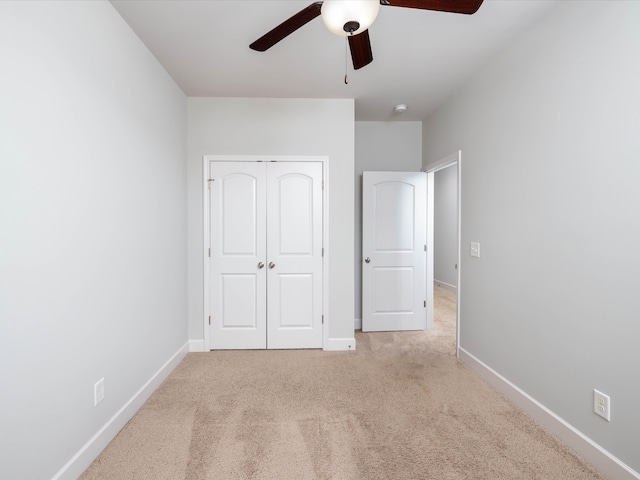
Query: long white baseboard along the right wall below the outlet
[600,458]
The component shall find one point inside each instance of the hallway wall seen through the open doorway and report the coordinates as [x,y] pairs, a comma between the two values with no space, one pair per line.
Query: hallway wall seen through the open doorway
[445,219]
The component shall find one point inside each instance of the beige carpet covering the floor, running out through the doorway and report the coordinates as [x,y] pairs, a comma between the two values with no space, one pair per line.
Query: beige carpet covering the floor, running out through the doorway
[400,407]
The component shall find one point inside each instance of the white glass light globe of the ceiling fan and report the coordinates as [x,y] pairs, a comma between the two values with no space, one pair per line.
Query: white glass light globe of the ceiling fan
[349,17]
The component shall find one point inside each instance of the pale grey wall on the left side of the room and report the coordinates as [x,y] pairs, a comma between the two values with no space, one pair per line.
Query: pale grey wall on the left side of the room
[92,227]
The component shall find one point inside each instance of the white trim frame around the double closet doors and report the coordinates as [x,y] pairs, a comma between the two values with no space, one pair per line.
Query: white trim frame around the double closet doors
[206,160]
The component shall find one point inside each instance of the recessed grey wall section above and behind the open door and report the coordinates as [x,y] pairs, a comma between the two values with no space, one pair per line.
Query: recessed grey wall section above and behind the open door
[381,146]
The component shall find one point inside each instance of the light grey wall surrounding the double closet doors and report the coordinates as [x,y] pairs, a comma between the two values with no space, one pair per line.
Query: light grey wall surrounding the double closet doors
[261,126]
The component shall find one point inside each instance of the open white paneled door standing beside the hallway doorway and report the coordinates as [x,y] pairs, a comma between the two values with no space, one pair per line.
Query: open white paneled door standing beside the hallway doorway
[394,239]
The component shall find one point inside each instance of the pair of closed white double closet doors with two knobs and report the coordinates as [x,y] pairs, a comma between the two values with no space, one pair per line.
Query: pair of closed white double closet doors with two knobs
[266,255]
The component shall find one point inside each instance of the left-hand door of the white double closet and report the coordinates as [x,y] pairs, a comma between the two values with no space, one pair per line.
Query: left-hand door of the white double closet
[238,255]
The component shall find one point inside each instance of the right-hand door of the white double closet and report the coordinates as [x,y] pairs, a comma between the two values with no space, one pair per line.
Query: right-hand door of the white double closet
[294,252]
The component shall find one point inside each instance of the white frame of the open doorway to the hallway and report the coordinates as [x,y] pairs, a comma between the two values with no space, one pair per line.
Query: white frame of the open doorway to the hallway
[454,158]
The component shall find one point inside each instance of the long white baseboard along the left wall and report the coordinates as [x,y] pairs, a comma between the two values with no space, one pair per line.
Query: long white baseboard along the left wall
[88,453]
